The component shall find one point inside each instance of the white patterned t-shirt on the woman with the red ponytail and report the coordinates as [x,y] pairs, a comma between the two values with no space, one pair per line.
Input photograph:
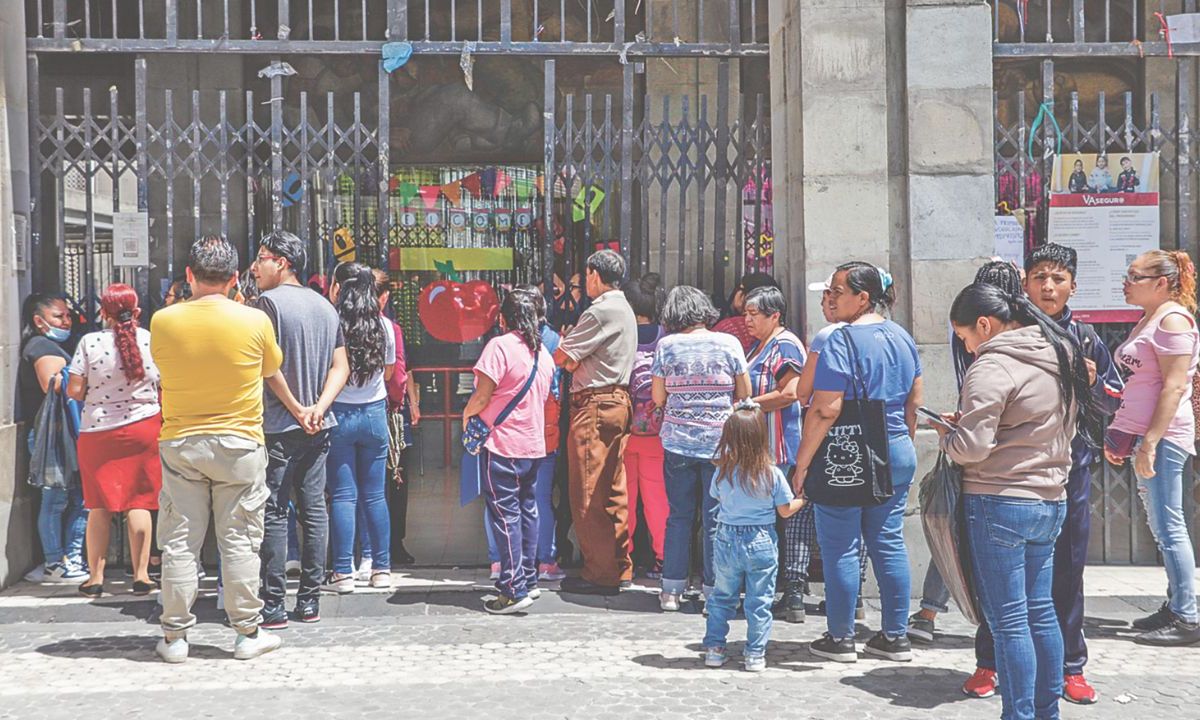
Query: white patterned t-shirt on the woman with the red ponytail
[113,401]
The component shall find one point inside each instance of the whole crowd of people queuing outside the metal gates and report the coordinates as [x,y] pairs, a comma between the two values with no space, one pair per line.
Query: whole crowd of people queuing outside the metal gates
[297,405]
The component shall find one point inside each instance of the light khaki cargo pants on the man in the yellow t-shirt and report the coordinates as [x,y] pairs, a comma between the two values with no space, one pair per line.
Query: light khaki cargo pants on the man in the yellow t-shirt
[224,477]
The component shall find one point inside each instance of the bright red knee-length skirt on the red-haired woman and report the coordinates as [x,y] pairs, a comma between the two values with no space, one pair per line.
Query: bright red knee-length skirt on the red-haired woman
[121,467]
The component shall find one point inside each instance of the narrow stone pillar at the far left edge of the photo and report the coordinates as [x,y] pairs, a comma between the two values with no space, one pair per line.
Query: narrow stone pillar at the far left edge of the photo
[19,508]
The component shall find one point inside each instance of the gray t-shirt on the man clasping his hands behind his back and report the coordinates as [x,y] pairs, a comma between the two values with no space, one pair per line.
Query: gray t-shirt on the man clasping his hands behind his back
[308,329]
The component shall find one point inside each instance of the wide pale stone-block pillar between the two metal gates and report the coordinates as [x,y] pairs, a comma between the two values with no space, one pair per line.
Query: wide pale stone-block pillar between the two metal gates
[883,152]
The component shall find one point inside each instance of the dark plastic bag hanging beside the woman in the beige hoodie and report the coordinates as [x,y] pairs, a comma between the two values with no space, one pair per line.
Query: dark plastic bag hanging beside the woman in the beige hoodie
[941,517]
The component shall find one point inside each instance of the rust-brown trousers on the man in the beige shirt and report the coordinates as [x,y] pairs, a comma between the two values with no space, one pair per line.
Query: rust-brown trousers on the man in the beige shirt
[596,447]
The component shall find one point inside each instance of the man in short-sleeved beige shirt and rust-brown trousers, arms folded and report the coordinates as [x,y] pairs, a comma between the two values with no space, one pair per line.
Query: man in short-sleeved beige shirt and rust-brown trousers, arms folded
[599,352]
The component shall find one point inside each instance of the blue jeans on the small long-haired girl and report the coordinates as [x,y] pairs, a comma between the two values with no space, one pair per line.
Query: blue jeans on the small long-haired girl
[743,557]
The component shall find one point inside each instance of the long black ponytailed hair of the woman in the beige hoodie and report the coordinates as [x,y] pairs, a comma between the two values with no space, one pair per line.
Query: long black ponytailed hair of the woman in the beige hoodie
[980,301]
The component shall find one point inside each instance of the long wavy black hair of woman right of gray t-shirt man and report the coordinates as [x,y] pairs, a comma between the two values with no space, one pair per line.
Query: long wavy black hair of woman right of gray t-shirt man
[358,308]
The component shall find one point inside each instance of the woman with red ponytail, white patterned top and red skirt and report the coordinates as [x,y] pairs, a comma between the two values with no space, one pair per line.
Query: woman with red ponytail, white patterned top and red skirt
[115,377]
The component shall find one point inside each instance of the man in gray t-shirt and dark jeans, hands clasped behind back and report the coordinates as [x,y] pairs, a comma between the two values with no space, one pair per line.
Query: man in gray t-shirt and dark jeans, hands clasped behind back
[296,421]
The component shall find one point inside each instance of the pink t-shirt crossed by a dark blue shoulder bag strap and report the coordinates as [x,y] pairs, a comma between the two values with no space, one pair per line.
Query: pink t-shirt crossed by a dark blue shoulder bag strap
[508,363]
